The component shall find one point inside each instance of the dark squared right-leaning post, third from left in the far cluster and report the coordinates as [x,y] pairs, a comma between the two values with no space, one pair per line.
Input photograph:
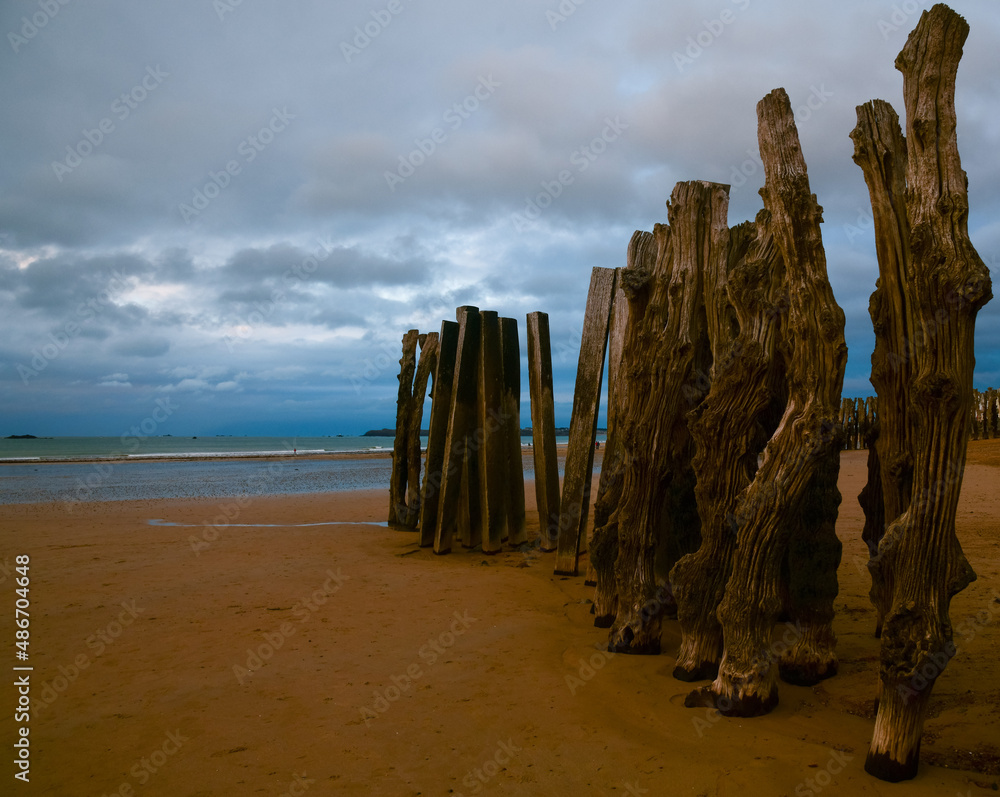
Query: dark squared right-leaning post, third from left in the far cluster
[444,376]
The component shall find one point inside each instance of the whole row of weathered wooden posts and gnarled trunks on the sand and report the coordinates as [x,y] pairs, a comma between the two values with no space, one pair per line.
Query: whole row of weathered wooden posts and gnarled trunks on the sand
[718,497]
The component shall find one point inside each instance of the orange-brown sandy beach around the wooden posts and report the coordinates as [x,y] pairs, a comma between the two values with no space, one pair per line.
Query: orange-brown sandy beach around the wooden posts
[480,674]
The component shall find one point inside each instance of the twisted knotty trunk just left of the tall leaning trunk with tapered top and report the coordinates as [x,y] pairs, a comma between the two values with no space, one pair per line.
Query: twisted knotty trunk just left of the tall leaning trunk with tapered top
[747,300]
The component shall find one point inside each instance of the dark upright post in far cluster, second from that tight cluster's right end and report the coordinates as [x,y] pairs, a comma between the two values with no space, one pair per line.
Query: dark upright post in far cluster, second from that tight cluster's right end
[490,439]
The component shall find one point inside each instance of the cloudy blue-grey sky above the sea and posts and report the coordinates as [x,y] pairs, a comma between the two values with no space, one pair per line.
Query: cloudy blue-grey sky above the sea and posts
[236,208]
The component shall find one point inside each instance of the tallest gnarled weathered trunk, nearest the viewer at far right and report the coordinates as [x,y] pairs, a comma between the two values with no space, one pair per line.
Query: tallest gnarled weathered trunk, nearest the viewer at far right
[945,284]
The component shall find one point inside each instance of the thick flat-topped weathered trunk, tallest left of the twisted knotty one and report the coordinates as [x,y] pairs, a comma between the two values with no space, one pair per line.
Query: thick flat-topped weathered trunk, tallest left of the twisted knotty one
[666,361]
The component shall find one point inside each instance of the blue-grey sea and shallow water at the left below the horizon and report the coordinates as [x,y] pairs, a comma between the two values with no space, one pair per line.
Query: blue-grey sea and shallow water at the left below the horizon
[70,470]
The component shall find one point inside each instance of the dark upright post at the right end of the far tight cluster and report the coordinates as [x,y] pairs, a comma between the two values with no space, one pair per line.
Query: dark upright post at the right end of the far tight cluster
[511,412]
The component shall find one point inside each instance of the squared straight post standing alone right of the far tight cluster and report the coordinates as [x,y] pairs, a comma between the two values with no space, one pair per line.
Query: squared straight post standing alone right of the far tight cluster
[543,430]
